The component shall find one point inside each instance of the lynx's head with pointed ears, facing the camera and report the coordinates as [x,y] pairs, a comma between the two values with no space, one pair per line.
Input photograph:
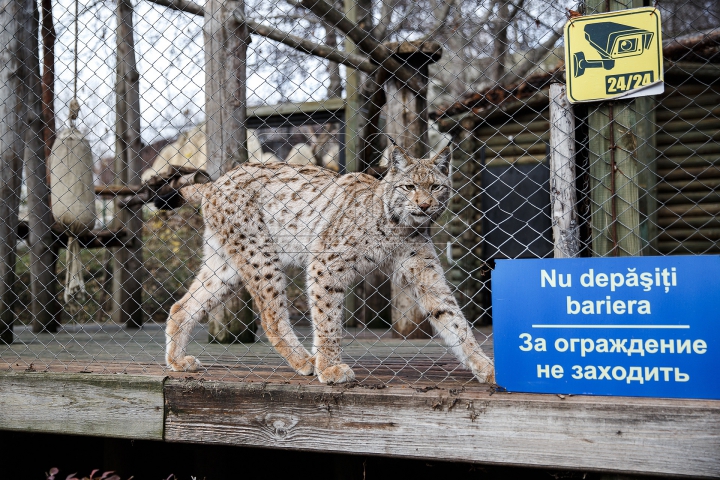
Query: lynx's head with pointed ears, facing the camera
[417,189]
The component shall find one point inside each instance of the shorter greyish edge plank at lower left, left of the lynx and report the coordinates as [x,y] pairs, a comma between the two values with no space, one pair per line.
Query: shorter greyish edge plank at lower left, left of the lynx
[119,406]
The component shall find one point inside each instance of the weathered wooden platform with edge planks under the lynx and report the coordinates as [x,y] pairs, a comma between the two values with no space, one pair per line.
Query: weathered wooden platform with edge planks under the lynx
[412,401]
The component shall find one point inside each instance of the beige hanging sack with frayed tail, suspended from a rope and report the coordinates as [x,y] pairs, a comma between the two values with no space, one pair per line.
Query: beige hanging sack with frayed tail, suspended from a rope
[73,200]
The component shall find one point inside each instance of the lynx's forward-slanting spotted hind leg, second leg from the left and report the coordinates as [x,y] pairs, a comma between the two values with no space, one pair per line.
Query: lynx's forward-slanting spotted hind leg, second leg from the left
[266,282]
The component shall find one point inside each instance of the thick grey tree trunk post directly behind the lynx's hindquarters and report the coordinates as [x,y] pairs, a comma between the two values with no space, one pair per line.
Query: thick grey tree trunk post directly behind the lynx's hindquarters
[226,42]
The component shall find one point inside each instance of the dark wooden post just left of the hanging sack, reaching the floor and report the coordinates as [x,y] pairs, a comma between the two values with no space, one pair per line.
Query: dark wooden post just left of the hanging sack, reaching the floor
[45,307]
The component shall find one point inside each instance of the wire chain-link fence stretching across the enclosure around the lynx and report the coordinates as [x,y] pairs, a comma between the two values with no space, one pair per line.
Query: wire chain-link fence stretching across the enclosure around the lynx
[320,247]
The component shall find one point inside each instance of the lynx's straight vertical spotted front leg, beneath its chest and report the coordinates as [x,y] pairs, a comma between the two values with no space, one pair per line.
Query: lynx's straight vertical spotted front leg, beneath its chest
[326,296]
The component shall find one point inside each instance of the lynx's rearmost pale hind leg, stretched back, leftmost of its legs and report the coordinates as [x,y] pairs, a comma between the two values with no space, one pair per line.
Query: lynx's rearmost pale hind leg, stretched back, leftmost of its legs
[210,288]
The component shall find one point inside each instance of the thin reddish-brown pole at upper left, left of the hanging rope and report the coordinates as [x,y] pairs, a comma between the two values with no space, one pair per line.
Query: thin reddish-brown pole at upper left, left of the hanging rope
[48,77]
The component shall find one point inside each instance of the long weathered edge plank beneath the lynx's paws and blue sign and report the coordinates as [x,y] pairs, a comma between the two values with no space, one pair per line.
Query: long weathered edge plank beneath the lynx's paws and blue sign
[623,435]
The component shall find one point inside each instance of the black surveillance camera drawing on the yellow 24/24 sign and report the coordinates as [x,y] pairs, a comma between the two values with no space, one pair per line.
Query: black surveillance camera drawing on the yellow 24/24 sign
[612,41]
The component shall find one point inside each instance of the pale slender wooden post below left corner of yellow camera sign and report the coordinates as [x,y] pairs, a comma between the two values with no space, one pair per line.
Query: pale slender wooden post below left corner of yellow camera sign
[563,198]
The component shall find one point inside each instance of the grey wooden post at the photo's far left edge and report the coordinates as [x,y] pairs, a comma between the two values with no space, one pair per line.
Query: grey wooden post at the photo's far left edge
[15,22]
